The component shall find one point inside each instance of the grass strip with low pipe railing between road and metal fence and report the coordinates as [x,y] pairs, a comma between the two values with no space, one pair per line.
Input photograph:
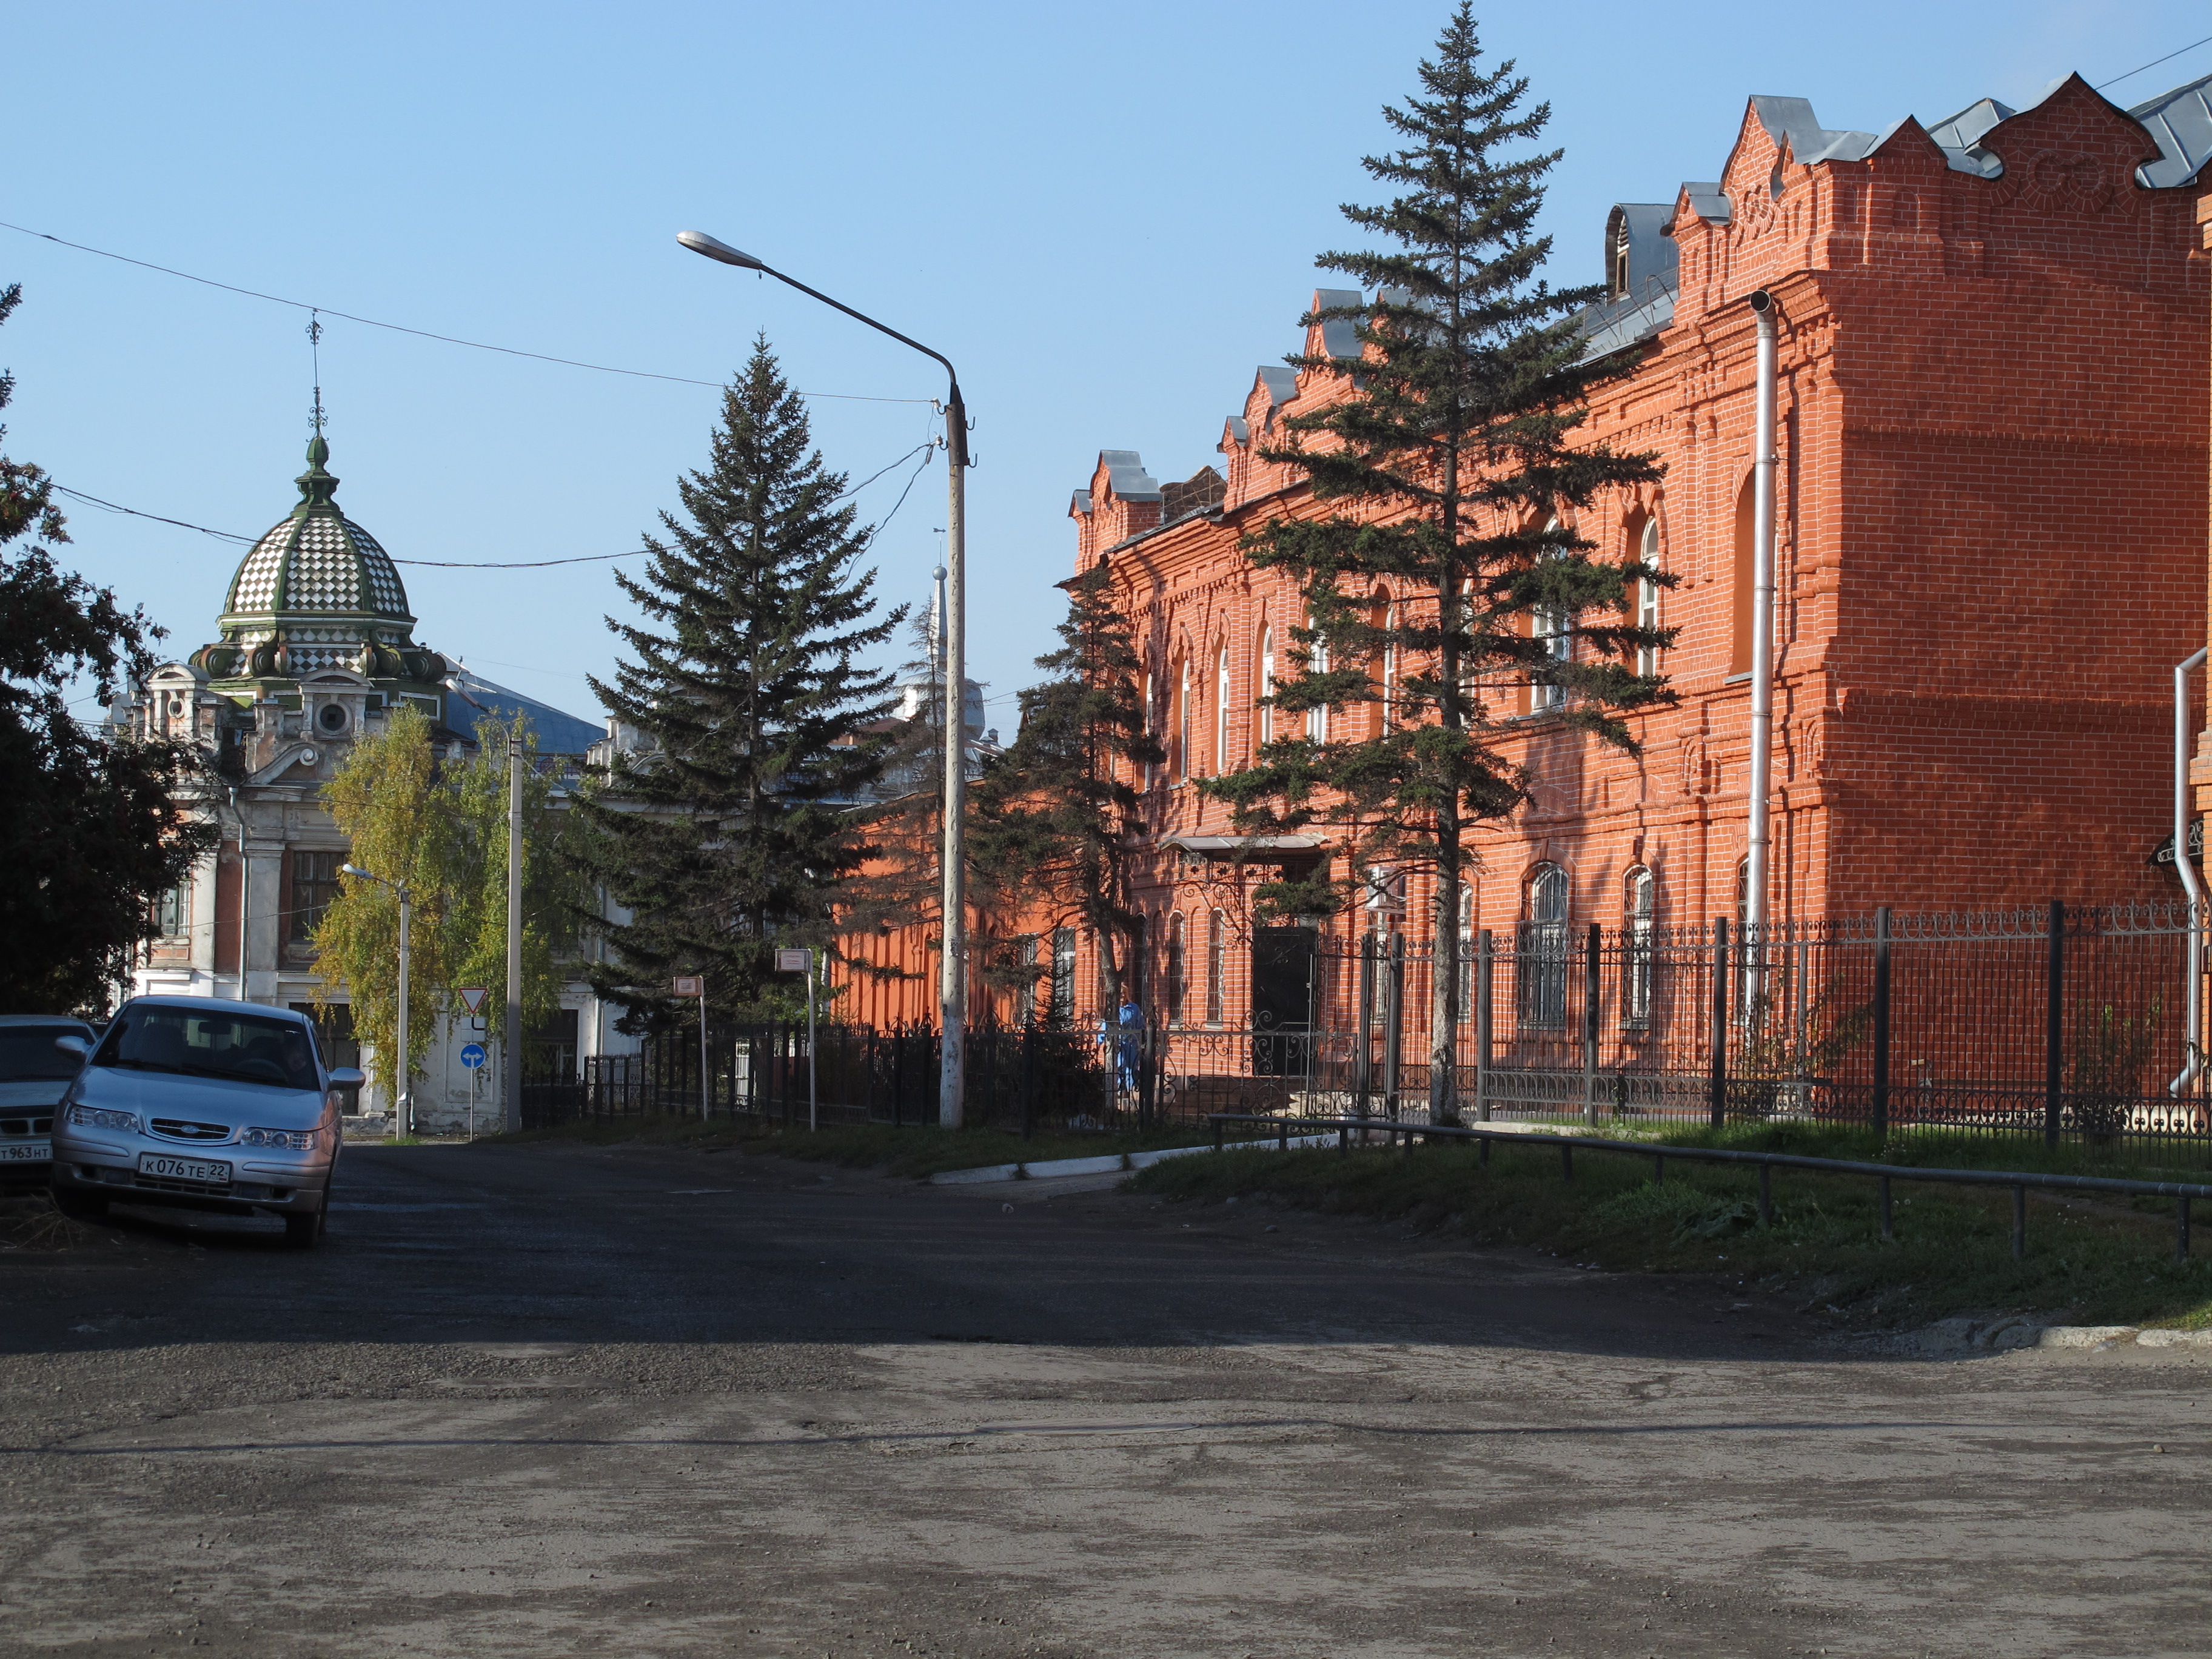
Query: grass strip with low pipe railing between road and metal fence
[2091,1262]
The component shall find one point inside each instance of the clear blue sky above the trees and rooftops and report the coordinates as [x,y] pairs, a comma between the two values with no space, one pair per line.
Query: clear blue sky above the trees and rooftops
[1107,218]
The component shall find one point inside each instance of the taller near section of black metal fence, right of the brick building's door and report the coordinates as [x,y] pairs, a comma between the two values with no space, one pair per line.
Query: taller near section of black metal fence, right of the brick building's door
[2065,1023]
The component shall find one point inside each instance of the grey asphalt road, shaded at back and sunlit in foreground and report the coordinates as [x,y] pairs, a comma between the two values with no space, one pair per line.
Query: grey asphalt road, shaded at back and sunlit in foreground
[559,1401]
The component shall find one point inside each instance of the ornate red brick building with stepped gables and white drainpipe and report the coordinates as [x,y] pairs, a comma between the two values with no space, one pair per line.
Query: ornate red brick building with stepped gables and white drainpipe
[1990,545]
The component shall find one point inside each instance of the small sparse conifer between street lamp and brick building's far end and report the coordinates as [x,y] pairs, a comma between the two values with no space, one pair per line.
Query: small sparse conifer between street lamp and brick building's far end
[1058,817]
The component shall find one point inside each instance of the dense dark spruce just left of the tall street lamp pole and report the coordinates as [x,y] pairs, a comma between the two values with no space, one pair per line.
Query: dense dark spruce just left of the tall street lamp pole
[733,828]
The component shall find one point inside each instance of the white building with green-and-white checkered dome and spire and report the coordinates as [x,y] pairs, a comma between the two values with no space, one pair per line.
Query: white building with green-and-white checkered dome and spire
[315,649]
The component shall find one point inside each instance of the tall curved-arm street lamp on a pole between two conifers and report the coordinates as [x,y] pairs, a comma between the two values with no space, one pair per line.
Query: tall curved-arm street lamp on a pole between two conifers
[952,970]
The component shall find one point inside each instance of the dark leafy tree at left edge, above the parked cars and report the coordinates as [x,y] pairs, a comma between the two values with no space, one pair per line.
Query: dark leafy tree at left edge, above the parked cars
[96,824]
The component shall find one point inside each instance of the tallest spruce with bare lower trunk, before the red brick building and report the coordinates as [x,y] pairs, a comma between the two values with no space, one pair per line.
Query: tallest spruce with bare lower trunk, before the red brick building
[1457,470]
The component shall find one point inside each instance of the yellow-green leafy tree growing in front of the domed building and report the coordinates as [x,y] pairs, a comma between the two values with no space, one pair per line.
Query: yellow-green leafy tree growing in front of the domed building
[441,831]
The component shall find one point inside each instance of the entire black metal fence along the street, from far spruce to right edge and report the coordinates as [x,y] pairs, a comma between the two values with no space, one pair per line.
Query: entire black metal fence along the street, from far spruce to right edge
[2065,1023]
